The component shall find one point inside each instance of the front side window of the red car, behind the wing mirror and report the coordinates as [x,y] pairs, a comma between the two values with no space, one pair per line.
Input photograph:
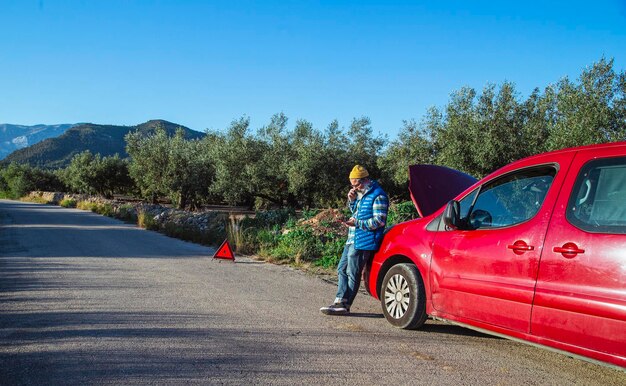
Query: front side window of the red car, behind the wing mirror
[509,200]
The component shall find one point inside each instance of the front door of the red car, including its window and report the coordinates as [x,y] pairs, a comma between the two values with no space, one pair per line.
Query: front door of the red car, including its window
[487,271]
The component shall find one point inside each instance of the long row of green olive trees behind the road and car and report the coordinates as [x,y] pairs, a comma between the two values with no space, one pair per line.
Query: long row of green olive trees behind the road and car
[303,166]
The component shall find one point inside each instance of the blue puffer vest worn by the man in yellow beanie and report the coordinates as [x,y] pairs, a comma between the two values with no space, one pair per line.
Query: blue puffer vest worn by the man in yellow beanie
[366,240]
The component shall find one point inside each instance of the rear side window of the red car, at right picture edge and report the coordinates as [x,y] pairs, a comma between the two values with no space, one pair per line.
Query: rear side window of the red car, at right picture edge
[598,200]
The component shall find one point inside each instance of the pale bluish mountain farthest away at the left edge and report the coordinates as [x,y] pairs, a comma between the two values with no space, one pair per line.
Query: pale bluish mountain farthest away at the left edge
[15,137]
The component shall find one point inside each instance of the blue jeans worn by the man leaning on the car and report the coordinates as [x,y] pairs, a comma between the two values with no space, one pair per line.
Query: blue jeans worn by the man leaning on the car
[349,273]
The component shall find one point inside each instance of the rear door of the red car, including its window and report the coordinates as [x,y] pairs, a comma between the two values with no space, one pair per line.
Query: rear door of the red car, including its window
[581,289]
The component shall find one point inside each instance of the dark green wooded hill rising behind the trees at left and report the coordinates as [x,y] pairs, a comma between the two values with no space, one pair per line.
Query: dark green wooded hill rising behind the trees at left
[107,140]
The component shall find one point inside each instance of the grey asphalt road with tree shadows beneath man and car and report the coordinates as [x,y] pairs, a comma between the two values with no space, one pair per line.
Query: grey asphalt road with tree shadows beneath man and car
[86,299]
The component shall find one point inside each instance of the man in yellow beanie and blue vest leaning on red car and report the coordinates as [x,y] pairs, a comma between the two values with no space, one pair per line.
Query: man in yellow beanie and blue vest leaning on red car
[368,204]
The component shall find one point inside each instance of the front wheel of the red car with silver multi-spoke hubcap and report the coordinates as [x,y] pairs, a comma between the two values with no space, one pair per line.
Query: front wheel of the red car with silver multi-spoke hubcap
[403,298]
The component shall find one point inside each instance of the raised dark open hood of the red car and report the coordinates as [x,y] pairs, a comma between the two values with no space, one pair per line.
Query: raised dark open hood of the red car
[432,186]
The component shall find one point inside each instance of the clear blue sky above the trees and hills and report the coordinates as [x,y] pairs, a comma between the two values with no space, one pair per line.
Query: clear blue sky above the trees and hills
[204,63]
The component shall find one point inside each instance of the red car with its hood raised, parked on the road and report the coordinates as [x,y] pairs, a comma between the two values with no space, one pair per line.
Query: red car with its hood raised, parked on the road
[535,251]
